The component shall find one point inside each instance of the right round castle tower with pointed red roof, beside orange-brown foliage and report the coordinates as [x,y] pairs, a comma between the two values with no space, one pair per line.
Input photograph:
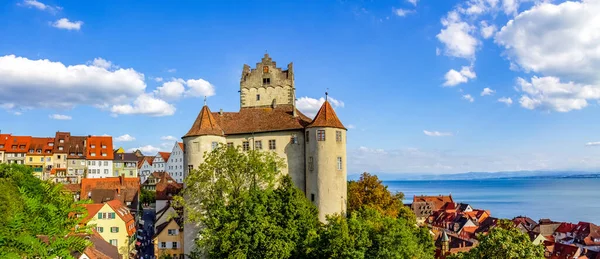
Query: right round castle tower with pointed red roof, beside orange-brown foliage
[326,173]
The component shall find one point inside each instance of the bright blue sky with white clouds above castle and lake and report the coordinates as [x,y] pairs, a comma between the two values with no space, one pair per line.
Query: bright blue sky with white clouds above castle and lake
[423,86]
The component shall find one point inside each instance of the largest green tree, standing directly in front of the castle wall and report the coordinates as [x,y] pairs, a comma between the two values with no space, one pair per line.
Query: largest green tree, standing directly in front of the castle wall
[242,213]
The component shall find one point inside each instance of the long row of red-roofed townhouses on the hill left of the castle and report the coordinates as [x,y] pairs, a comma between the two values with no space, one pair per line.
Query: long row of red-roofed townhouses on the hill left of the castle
[68,159]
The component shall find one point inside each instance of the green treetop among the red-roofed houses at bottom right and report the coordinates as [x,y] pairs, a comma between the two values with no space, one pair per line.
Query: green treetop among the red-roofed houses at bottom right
[503,242]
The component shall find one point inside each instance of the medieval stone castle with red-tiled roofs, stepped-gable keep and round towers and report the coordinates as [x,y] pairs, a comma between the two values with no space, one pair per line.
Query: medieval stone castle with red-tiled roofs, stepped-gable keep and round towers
[313,149]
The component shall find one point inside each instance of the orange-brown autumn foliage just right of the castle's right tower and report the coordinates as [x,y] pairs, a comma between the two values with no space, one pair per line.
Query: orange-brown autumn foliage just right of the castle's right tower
[370,192]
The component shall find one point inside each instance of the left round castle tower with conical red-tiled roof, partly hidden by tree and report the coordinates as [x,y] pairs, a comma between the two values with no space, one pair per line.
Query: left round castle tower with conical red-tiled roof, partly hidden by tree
[204,135]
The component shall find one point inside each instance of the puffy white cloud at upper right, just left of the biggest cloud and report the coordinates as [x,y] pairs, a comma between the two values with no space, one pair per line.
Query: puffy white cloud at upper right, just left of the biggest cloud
[457,37]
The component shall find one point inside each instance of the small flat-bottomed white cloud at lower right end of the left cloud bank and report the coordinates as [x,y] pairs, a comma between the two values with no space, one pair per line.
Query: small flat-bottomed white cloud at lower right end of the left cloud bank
[145,104]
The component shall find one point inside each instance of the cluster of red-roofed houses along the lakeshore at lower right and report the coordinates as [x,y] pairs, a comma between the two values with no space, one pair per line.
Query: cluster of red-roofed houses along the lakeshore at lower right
[456,227]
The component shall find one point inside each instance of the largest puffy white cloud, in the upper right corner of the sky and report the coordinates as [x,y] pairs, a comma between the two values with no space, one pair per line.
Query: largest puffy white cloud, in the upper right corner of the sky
[556,40]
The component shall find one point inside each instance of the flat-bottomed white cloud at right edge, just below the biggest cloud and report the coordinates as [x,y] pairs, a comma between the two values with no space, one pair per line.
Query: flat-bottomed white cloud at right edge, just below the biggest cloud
[548,93]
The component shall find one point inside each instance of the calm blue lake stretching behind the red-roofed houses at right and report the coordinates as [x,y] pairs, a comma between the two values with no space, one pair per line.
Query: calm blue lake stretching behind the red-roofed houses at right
[569,200]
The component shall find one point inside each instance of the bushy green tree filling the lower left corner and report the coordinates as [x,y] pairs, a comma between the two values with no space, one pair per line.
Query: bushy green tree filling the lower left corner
[37,217]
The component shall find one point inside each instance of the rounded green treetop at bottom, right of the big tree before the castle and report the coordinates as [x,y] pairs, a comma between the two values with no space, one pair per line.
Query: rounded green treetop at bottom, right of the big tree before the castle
[367,233]
